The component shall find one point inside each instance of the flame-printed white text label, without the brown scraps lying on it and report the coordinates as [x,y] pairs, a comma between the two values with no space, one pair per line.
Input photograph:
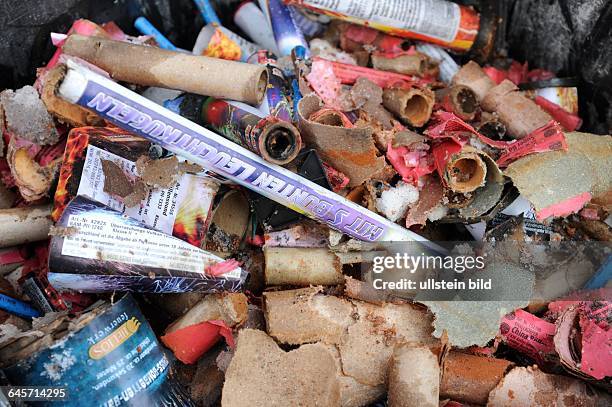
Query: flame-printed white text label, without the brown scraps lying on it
[182,210]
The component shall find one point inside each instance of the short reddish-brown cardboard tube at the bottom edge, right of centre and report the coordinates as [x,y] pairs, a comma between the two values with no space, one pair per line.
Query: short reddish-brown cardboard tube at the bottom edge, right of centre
[470,379]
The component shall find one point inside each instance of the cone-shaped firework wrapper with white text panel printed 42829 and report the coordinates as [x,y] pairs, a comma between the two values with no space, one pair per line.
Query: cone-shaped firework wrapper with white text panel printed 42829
[113,252]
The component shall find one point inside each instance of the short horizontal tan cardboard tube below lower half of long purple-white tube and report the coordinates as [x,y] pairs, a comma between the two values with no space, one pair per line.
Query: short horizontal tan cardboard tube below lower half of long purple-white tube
[302,266]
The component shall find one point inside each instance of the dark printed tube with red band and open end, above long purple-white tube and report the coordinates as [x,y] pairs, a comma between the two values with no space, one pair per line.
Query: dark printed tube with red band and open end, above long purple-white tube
[276,141]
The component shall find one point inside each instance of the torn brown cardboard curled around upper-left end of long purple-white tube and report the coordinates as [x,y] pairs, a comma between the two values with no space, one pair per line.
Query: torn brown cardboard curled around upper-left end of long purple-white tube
[65,111]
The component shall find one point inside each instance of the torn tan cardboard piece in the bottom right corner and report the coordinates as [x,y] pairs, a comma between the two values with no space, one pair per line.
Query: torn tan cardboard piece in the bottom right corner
[531,387]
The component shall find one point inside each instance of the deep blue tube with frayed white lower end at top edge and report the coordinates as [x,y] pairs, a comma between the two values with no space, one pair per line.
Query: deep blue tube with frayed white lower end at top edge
[286,32]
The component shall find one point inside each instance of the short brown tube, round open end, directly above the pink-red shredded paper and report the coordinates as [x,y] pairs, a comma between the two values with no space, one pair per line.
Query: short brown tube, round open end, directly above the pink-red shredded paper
[412,106]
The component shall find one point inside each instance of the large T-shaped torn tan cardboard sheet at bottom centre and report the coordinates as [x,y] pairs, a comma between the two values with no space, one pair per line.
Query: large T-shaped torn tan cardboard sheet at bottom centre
[365,334]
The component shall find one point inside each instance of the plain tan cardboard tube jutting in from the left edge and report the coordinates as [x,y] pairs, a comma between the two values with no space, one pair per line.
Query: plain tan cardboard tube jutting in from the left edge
[24,225]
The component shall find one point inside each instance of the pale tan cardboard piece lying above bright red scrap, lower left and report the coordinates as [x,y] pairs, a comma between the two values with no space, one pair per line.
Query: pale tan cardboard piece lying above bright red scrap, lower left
[230,308]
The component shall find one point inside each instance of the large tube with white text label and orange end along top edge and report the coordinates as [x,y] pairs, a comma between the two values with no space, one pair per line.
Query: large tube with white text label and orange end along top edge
[436,21]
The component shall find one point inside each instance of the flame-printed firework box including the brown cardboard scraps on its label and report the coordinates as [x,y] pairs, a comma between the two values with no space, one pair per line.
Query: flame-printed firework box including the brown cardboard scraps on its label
[181,207]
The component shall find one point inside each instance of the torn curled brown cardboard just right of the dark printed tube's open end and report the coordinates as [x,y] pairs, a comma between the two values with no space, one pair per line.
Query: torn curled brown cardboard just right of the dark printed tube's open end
[350,150]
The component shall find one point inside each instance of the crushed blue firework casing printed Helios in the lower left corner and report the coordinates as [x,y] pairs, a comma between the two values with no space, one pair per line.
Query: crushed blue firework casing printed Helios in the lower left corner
[108,355]
